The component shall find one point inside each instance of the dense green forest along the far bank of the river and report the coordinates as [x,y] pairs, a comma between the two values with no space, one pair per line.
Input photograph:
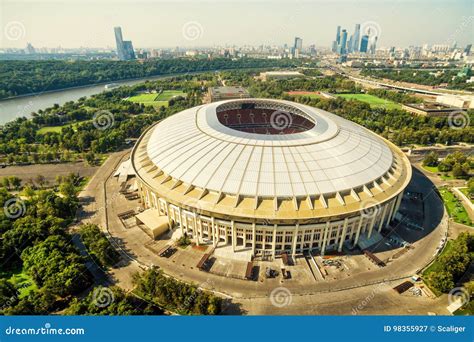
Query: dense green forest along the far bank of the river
[25,77]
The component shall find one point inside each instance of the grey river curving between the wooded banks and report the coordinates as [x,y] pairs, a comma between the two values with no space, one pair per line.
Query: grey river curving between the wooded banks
[23,106]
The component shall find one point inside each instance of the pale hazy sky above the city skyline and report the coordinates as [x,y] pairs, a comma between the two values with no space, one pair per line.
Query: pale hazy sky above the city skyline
[159,23]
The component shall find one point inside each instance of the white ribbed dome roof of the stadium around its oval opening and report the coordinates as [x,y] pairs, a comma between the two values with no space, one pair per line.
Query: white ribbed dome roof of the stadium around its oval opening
[336,155]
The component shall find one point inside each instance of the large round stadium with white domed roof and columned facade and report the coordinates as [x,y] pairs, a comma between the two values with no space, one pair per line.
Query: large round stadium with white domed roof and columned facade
[268,177]
